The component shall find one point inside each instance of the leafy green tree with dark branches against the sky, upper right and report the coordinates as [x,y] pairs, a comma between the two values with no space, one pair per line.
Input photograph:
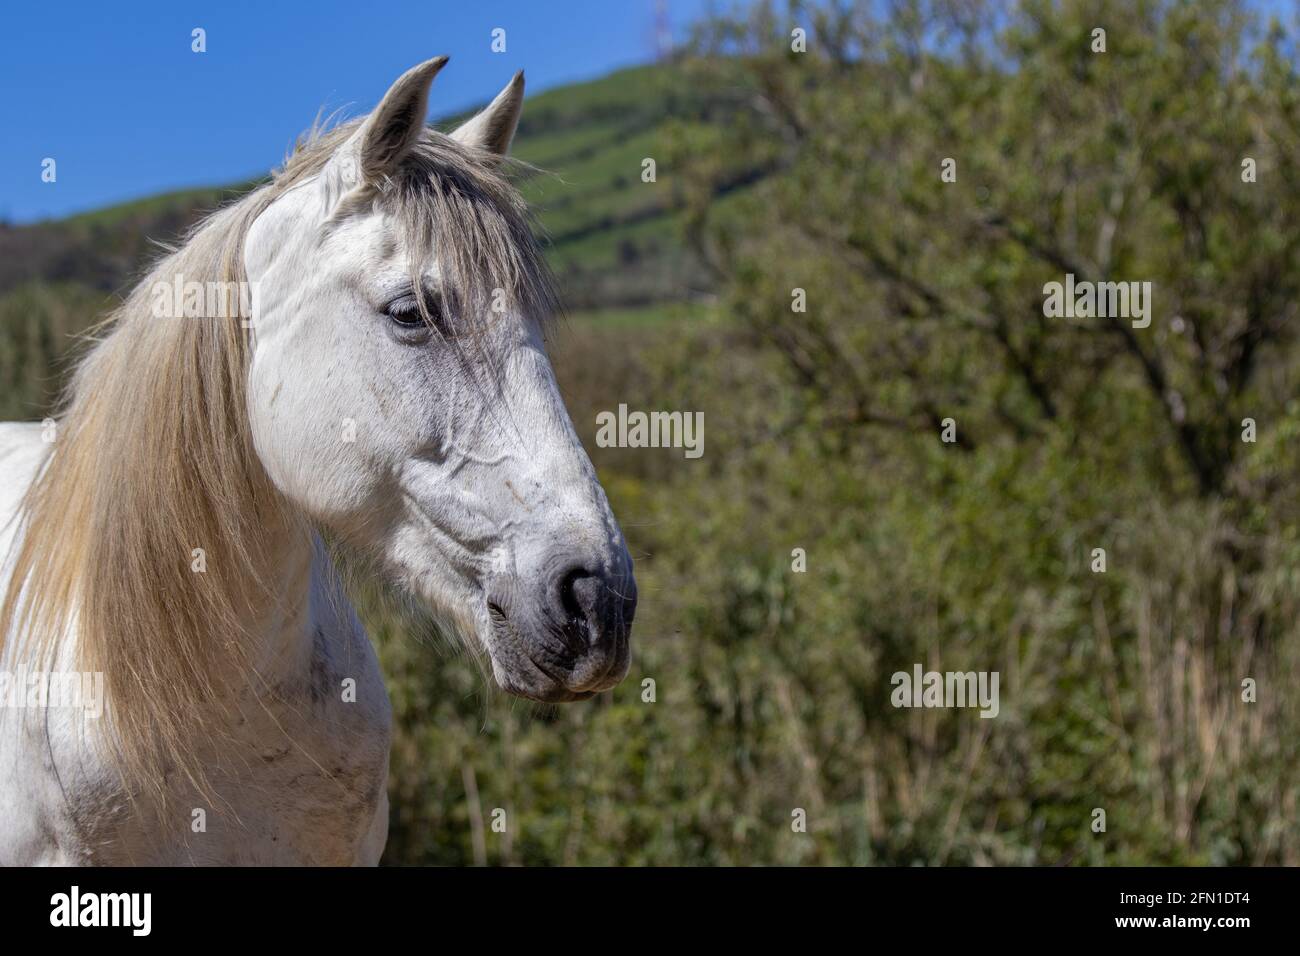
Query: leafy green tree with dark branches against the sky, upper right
[943,165]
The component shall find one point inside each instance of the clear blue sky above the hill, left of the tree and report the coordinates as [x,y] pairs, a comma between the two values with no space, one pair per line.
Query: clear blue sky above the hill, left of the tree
[112,92]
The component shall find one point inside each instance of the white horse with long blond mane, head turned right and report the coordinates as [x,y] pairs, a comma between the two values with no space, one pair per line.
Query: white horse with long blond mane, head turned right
[389,390]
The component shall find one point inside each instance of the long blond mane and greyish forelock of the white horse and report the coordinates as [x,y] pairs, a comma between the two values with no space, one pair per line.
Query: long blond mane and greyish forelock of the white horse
[155,458]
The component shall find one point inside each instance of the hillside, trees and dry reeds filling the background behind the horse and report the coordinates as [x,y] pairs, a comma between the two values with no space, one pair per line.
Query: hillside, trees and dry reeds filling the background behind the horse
[821,171]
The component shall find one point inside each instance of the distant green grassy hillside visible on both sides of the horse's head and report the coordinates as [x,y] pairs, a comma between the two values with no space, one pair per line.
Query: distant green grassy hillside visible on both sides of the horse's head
[616,243]
